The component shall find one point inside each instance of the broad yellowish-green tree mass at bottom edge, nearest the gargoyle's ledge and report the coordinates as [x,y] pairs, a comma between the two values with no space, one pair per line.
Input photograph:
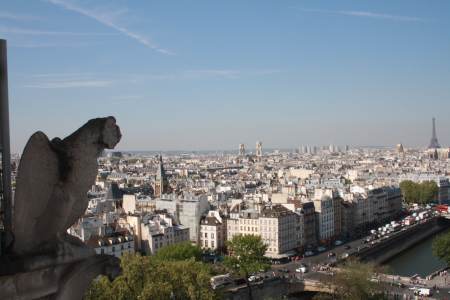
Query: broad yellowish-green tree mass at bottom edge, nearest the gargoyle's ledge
[145,277]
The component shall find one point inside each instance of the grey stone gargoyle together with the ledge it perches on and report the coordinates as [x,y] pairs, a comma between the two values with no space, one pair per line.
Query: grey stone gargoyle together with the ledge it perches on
[51,195]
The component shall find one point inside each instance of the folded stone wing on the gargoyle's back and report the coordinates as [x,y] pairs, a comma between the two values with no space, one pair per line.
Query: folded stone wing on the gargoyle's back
[36,179]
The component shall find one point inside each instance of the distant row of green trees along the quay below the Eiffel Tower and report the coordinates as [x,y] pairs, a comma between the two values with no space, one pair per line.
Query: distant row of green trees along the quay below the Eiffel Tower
[422,193]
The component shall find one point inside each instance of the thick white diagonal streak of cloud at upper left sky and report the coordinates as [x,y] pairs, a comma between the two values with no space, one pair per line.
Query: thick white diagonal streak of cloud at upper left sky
[108,19]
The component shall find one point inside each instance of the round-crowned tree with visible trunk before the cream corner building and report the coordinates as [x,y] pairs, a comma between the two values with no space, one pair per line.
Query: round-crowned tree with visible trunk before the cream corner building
[246,257]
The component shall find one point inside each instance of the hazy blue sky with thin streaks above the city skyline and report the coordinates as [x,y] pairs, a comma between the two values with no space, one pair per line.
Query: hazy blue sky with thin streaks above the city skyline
[213,74]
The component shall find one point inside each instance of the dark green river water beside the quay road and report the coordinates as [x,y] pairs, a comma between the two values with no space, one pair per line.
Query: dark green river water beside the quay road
[416,260]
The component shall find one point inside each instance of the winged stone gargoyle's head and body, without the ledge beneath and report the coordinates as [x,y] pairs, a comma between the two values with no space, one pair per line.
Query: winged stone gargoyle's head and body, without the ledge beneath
[52,183]
